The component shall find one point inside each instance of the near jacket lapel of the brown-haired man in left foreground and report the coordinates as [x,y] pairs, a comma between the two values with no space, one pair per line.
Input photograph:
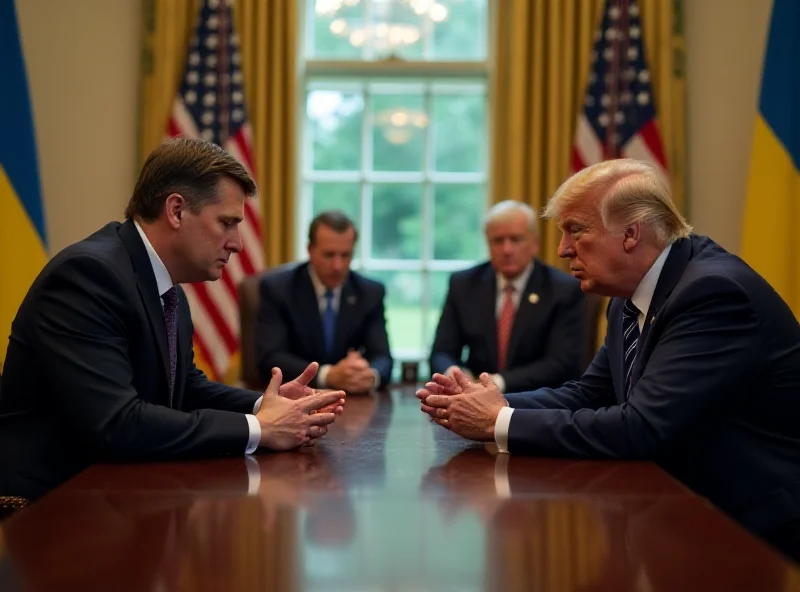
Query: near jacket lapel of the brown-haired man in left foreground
[148,291]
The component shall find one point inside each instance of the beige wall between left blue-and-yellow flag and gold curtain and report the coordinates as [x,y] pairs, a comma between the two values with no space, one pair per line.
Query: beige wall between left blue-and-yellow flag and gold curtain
[82,58]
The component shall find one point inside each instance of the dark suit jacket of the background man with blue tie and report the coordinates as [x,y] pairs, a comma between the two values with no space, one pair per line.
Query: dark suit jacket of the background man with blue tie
[289,325]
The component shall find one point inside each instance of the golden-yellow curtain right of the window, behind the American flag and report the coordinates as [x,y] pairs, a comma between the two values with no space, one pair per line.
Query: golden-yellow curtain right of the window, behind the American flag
[539,77]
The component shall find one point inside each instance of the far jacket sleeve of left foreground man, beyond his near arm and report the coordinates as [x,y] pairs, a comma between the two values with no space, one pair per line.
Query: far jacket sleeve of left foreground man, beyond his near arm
[202,393]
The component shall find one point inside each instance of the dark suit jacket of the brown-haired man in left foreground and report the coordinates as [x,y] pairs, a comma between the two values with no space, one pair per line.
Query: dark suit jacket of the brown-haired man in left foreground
[86,373]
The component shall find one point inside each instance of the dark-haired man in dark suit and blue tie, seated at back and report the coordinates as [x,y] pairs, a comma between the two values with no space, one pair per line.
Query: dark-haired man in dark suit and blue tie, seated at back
[321,311]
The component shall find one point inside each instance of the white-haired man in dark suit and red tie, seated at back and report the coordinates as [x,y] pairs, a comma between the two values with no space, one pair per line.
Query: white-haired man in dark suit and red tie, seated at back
[523,321]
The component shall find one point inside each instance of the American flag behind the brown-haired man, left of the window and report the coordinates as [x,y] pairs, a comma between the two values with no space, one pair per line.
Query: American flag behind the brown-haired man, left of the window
[210,105]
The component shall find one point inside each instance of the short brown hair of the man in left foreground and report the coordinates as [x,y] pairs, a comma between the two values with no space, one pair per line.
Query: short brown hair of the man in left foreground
[187,166]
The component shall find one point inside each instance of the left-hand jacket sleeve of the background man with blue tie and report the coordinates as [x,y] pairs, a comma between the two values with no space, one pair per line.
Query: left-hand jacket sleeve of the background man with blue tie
[272,338]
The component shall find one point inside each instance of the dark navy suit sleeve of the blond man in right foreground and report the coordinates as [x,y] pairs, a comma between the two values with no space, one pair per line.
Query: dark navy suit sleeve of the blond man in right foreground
[707,350]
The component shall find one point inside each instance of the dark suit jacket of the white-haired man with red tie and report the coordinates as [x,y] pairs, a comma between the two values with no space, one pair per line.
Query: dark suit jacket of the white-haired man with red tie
[548,338]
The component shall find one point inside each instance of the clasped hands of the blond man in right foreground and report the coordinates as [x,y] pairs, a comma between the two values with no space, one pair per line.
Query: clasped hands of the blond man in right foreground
[467,408]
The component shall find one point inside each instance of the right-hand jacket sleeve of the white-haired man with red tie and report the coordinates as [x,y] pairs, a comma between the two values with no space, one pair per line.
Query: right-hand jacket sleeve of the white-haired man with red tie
[564,350]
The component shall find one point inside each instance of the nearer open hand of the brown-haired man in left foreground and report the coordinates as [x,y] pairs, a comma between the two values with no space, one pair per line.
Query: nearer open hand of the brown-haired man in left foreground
[287,424]
